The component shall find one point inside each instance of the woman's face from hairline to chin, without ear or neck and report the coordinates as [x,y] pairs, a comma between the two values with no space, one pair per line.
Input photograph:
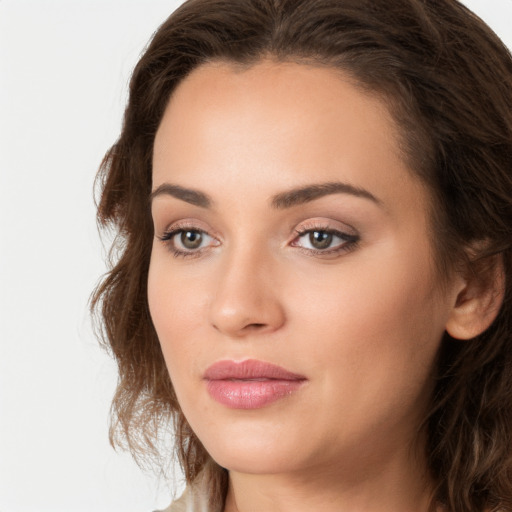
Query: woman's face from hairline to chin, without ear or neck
[289,232]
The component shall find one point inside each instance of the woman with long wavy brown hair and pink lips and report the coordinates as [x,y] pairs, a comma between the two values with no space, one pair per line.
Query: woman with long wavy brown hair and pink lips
[313,201]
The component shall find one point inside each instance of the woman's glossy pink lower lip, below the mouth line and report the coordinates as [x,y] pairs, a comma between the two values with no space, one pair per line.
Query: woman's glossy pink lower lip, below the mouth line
[251,394]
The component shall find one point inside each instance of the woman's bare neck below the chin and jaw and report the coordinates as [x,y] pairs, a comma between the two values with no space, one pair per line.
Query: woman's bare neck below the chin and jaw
[400,484]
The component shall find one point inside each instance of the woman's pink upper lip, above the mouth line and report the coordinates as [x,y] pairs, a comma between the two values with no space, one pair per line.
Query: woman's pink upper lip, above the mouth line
[248,370]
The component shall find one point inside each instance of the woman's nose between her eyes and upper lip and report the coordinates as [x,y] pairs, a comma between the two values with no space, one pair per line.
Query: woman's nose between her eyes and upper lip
[246,299]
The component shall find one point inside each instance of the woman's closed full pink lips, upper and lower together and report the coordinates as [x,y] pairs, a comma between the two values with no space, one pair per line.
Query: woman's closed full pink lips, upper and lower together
[250,384]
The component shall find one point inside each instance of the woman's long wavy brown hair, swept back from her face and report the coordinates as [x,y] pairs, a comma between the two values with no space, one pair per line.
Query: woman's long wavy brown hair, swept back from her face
[447,79]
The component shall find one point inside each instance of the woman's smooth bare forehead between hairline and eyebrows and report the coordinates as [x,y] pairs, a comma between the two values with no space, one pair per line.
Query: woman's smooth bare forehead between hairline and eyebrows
[275,126]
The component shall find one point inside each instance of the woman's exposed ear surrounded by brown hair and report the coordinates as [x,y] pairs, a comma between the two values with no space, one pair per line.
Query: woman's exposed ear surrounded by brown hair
[478,300]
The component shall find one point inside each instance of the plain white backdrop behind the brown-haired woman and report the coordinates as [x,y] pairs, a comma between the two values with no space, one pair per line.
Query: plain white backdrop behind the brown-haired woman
[64,68]
